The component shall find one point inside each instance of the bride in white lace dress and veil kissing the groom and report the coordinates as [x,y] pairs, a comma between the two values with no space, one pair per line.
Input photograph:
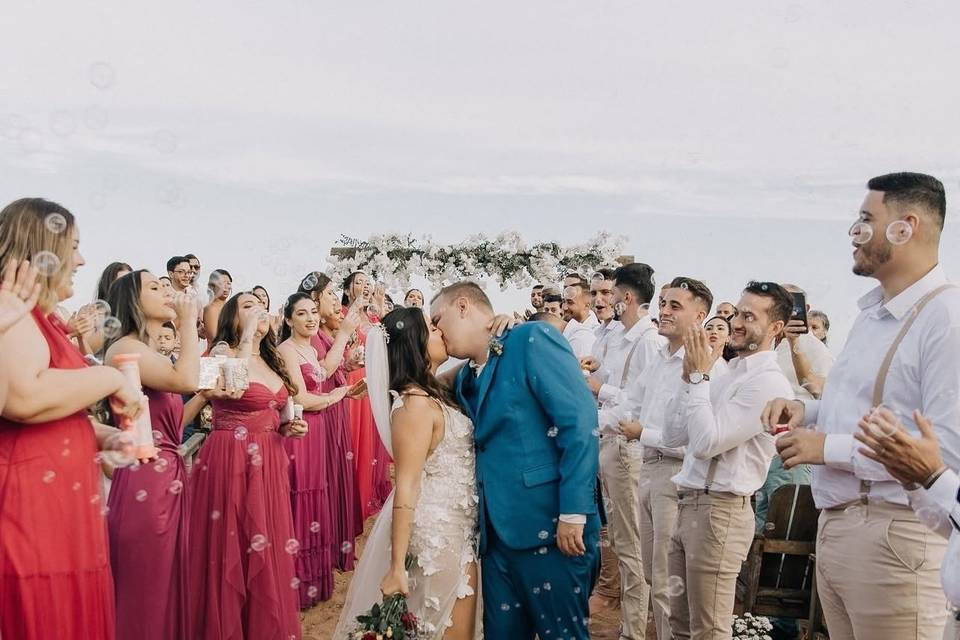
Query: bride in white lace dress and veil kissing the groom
[432,514]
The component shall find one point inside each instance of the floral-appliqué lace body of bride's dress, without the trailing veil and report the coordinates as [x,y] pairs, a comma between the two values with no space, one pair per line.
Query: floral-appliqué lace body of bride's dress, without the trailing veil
[444,537]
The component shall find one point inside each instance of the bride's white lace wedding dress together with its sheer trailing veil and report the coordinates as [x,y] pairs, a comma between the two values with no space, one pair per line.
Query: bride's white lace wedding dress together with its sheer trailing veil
[443,540]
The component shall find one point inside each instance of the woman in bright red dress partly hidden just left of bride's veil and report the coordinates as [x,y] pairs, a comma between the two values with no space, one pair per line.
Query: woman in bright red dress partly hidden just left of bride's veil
[372,460]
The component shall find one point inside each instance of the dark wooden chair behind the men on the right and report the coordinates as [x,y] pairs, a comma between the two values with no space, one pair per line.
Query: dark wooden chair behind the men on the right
[777,577]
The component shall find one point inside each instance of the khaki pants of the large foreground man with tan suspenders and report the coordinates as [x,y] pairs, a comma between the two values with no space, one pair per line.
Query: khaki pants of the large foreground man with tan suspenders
[878,574]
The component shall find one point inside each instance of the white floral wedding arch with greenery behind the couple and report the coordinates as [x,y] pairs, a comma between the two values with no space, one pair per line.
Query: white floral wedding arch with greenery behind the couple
[394,259]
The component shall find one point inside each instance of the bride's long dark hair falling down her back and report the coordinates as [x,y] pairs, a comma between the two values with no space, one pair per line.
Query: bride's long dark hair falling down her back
[407,353]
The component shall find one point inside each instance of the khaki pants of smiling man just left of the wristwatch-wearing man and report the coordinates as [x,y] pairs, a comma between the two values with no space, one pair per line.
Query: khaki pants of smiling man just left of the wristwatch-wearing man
[658,515]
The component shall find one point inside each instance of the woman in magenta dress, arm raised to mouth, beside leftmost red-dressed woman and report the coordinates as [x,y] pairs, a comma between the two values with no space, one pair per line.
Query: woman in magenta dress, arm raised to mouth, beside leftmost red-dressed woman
[148,515]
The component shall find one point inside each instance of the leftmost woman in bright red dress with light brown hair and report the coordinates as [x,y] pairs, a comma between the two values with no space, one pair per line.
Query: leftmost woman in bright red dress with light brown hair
[54,578]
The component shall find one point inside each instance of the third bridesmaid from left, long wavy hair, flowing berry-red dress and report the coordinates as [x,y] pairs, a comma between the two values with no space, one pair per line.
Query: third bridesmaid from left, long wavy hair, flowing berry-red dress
[242,543]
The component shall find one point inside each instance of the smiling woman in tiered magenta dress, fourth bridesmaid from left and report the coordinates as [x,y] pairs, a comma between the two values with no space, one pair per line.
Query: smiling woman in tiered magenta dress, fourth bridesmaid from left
[310,457]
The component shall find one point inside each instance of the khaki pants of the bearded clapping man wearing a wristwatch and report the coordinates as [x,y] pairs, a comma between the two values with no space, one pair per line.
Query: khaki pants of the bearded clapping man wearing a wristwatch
[710,541]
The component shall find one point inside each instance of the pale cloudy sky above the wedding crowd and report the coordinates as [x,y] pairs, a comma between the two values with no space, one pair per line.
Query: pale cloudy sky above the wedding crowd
[728,141]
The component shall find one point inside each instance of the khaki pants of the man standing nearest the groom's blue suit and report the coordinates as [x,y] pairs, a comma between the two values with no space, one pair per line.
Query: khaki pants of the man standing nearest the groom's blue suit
[620,469]
